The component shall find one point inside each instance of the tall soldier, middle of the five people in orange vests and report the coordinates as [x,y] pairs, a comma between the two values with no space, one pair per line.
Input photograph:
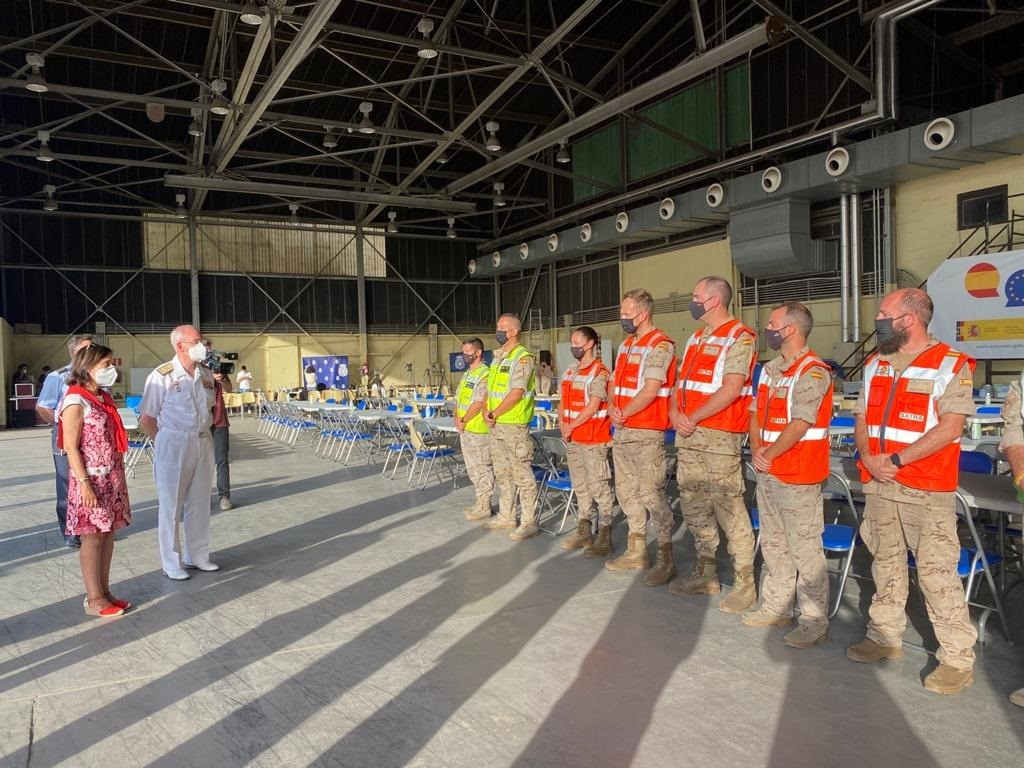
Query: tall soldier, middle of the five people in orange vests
[710,414]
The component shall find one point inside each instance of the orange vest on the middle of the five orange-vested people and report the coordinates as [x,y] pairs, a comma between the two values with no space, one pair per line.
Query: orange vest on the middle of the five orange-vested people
[702,373]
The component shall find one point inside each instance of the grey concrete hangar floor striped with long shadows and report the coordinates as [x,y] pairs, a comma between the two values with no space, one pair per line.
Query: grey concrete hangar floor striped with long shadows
[359,624]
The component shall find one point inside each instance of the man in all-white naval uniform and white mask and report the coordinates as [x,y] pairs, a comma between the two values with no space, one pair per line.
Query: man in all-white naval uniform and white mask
[177,413]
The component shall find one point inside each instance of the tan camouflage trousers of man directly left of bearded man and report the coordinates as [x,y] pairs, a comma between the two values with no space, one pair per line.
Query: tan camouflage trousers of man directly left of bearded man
[792,524]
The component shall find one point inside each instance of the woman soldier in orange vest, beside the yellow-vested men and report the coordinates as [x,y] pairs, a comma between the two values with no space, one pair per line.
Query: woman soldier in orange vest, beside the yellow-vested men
[587,432]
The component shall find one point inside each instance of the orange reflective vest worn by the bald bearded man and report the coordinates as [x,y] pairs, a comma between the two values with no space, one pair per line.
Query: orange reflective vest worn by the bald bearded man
[902,410]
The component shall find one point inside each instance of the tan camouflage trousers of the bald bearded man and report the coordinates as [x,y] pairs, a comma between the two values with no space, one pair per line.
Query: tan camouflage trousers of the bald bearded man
[889,530]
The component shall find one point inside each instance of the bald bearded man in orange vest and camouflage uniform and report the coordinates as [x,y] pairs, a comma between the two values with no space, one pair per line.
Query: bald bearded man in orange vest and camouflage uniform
[917,395]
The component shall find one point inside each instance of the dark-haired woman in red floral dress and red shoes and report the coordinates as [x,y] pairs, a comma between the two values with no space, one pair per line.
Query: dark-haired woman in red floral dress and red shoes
[92,434]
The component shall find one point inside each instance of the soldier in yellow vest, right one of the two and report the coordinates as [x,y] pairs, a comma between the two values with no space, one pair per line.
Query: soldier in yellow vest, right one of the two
[511,386]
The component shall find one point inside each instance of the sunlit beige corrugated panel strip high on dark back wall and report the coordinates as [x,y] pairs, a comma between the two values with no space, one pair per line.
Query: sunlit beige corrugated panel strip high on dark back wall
[302,250]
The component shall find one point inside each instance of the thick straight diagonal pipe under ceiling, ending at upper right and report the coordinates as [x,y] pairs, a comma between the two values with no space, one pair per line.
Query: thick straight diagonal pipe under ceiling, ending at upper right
[772,30]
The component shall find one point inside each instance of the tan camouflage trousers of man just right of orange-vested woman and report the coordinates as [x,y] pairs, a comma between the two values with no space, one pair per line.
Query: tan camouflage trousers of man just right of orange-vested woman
[639,461]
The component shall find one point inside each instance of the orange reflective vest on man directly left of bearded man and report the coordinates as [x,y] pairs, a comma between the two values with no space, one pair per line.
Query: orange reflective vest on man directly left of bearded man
[807,462]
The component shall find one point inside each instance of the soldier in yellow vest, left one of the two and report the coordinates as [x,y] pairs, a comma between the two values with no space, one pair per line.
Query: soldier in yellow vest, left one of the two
[474,434]
